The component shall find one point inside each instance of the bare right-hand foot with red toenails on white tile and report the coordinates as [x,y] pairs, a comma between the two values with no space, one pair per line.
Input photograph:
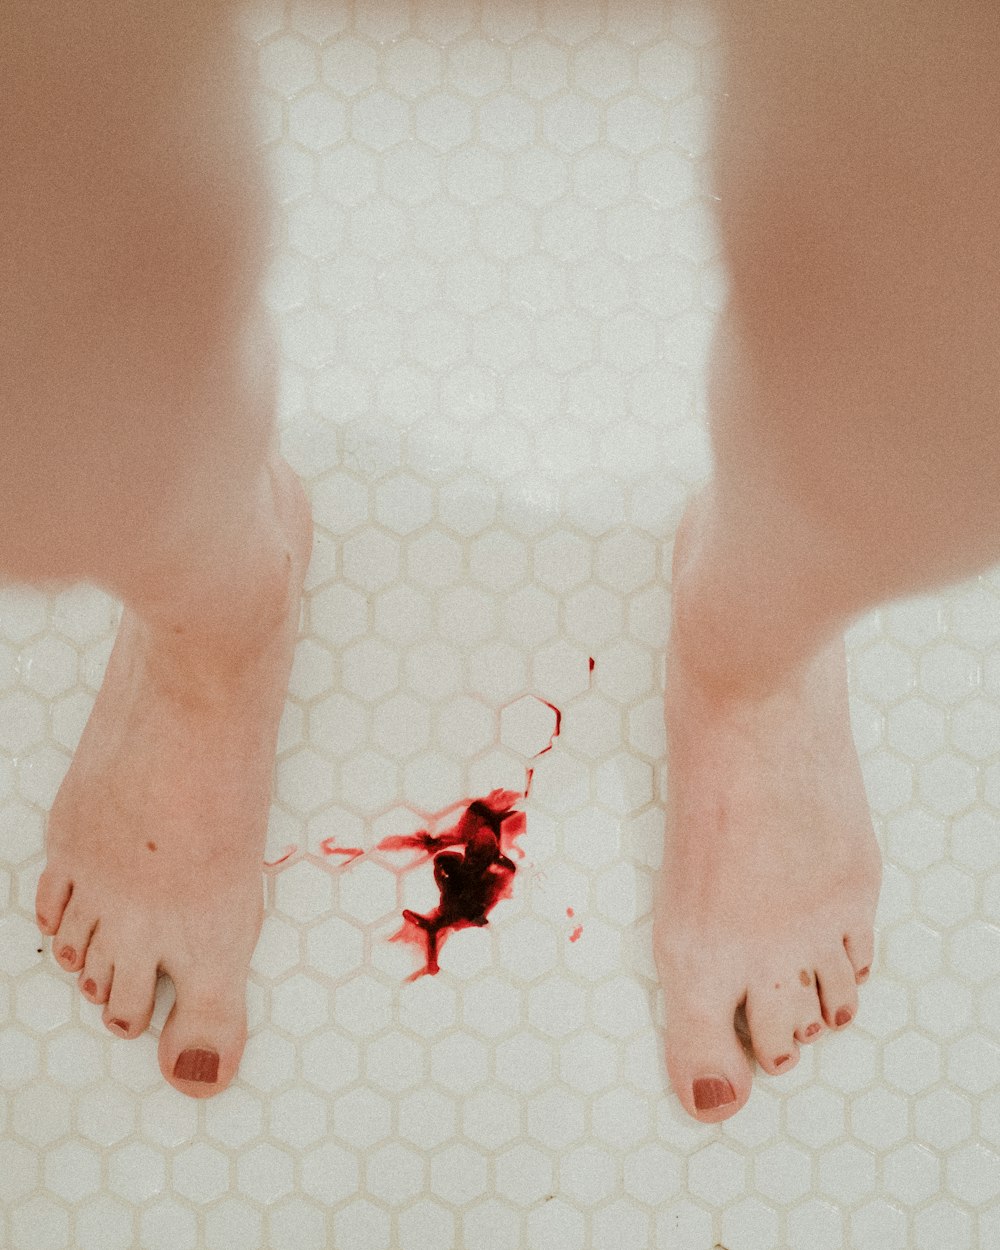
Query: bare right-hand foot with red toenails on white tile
[771,878]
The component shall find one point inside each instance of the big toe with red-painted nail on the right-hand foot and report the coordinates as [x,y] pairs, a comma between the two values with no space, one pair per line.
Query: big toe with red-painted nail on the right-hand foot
[708,1067]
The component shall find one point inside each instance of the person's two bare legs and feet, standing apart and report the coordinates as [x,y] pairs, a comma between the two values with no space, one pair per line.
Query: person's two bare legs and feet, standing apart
[857,459]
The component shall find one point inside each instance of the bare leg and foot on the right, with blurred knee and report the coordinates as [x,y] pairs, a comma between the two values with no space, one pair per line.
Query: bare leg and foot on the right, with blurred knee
[857,459]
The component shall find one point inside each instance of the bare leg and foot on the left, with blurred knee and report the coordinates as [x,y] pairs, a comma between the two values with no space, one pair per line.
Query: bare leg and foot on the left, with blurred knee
[139,392]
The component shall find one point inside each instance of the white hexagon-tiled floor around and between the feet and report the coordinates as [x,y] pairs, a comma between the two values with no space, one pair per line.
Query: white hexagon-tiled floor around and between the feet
[496,277]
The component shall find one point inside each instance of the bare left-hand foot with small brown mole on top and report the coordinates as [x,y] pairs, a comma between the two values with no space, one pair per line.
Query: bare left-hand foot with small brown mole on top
[157,836]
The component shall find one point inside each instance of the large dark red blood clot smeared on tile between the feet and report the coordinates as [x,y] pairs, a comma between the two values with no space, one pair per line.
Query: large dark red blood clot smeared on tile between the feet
[473,871]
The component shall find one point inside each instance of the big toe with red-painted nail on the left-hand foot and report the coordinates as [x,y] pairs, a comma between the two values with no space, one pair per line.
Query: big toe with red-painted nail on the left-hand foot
[204,1038]
